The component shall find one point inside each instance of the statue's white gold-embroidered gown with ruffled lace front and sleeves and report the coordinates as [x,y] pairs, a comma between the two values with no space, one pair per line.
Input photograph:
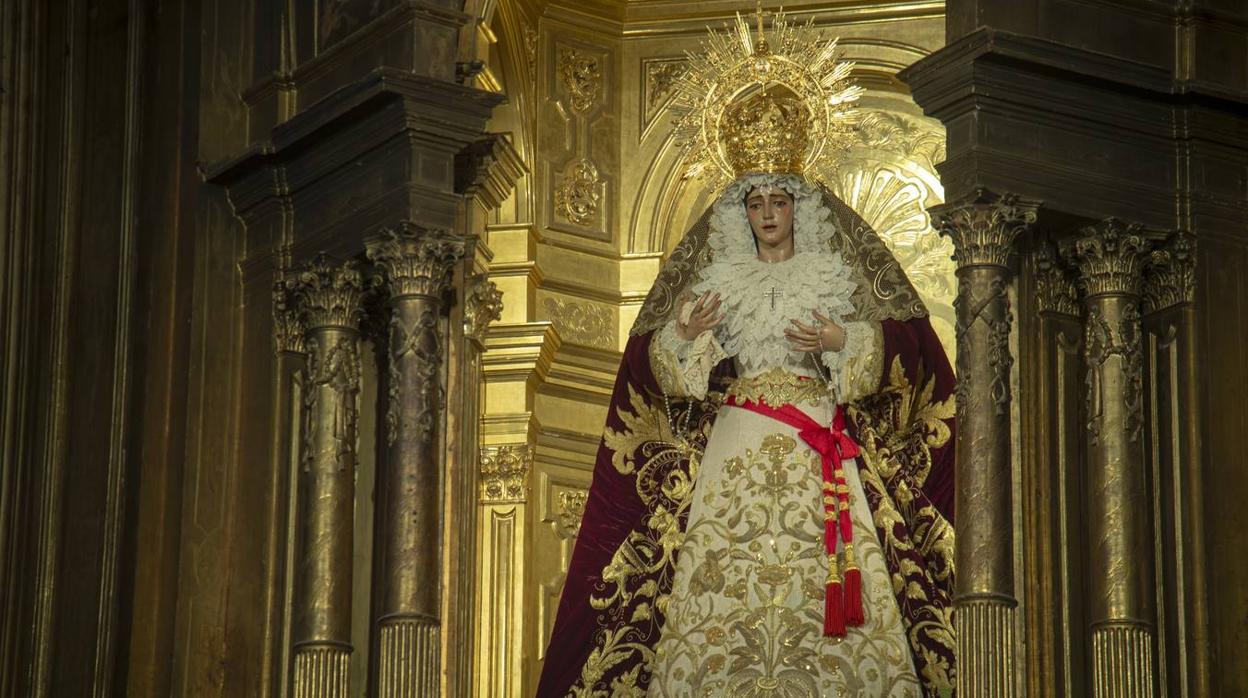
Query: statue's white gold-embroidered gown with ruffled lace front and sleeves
[747,607]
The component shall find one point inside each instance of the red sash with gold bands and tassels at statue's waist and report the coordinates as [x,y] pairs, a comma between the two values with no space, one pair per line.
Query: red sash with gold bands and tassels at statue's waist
[844,604]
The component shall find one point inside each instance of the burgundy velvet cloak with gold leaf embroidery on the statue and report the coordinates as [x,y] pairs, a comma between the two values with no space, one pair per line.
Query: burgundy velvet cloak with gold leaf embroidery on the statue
[611,615]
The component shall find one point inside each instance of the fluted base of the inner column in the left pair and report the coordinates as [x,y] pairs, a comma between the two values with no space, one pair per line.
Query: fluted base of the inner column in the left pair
[409,657]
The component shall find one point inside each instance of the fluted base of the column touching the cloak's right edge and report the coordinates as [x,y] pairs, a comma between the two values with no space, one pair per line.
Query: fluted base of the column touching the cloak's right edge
[985,647]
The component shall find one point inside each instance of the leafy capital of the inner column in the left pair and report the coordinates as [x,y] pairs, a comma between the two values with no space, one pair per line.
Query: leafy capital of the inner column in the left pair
[417,262]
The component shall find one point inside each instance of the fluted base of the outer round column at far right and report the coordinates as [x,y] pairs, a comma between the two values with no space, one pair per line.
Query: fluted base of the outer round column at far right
[1123,661]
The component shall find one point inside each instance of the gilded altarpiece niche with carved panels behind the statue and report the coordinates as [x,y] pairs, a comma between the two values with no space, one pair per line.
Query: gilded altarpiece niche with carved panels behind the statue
[577,248]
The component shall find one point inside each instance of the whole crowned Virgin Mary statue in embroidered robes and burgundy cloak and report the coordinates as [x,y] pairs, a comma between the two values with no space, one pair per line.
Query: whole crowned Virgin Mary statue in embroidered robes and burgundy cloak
[772,504]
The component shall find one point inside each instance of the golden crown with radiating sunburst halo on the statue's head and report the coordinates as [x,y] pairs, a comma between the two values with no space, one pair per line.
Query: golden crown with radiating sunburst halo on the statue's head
[744,107]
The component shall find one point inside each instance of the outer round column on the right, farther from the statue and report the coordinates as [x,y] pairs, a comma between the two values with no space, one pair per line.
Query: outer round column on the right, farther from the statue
[1111,259]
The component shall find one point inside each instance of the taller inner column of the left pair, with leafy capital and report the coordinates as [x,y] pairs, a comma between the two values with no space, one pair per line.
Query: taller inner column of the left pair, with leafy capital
[416,265]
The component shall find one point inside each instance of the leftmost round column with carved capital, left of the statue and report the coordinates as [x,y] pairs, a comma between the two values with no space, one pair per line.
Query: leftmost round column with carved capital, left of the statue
[330,297]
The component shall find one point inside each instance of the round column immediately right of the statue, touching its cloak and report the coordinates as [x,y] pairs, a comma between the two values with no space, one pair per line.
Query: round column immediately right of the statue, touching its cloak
[984,230]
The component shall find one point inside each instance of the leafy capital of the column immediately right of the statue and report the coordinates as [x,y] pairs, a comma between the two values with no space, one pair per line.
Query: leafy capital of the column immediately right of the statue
[984,227]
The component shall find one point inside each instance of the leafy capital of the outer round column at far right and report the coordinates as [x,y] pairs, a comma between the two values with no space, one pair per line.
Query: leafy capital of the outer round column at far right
[1110,258]
